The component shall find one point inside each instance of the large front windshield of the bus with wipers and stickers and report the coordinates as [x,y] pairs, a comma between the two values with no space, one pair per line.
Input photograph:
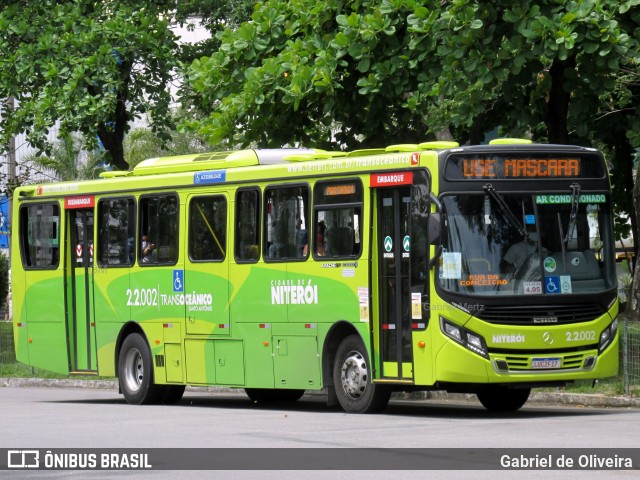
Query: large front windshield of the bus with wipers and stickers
[527,244]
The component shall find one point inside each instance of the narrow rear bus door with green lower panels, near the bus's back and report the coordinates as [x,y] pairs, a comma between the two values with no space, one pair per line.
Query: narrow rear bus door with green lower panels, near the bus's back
[81,338]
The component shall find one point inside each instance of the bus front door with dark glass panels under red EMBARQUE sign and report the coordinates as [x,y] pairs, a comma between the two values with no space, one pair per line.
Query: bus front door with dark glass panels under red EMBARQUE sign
[400,291]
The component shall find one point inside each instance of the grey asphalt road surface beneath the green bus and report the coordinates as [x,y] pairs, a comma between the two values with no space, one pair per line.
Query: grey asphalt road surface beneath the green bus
[75,418]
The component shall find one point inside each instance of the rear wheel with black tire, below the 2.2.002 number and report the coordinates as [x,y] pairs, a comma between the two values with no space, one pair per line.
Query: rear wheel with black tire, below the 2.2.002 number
[135,371]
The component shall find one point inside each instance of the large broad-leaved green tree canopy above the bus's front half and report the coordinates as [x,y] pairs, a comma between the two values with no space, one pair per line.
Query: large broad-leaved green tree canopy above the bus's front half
[360,73]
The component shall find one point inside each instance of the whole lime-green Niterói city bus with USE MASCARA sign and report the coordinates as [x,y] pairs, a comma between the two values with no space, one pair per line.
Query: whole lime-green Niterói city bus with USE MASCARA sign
[479,269]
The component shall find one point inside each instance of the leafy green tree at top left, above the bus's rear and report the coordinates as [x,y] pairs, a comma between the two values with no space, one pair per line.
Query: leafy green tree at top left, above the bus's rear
[91,66]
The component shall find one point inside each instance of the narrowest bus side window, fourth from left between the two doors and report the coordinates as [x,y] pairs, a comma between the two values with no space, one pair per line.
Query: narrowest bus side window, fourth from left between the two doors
[247,244]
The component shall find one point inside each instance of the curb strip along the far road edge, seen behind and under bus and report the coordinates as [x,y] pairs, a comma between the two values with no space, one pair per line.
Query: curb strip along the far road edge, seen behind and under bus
[536,398]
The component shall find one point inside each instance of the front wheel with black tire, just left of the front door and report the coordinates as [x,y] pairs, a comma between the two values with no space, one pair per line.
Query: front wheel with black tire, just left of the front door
[352,379]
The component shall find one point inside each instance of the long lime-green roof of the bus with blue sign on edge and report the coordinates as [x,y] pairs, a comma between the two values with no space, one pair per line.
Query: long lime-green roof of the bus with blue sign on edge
[240,166]
